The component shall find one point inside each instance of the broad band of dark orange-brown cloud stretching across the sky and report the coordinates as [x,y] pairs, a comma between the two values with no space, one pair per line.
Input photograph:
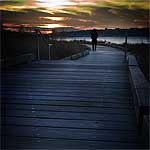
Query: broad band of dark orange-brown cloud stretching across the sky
[118,16]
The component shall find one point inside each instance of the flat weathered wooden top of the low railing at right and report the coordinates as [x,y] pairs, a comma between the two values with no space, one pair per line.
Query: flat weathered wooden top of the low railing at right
[140,89]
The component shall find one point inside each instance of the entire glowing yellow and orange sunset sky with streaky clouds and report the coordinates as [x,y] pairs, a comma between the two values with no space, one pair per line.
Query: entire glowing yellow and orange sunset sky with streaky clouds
[79,14]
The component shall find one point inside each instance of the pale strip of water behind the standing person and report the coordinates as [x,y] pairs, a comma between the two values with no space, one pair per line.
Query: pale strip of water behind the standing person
[117,40]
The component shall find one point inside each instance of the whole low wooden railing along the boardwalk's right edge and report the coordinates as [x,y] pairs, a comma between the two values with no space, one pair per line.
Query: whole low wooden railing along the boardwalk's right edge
[140,92]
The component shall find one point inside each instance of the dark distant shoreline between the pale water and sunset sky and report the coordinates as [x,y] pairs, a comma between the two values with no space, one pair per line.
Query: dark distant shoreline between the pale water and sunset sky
[132,32]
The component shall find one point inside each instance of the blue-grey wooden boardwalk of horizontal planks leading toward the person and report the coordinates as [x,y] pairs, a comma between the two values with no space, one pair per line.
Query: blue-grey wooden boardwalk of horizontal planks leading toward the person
[79,104]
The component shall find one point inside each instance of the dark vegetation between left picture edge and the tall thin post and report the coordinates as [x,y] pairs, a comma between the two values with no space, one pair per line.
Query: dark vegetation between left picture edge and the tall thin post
[15,44]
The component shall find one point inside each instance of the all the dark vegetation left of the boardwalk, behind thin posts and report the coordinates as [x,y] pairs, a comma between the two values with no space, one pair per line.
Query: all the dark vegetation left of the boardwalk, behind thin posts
[15,44]
